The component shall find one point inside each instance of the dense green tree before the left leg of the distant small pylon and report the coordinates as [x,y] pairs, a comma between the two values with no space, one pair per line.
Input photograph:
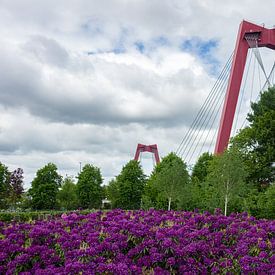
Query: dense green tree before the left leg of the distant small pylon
[129,185]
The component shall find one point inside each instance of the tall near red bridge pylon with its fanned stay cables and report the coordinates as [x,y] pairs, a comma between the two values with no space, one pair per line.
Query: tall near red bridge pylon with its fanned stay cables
[252,37]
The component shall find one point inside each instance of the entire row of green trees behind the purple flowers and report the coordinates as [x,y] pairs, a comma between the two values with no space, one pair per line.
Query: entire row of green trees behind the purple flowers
[241,179]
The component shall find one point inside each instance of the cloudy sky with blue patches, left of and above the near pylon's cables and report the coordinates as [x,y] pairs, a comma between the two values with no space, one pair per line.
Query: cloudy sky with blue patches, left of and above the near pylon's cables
[85,81]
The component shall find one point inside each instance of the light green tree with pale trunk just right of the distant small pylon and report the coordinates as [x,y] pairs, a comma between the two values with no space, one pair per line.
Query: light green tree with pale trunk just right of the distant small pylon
[167,183]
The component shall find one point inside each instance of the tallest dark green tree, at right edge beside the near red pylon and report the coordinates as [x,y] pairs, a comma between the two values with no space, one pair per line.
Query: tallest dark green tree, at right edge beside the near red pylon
[257,141]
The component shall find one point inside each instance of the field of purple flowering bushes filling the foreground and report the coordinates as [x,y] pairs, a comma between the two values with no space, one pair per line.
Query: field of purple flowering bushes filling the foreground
[139,242]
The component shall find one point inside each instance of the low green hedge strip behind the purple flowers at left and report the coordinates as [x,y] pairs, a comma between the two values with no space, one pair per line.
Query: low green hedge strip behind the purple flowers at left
[34,215]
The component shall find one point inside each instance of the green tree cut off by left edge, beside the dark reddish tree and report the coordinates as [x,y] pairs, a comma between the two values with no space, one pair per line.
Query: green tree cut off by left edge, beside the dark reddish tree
[4,185]
